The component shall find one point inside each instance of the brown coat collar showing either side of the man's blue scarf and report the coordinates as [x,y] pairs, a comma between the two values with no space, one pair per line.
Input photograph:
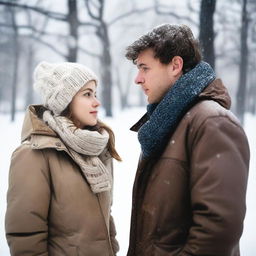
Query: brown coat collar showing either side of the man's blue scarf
[214,91]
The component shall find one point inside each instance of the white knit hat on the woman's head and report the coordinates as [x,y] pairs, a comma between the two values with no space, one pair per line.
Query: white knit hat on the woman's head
[57,83]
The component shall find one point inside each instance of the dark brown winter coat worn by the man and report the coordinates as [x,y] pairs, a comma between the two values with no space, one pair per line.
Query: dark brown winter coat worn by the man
[191,200]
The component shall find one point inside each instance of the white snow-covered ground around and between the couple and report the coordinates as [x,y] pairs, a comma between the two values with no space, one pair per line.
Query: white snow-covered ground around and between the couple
[129,149]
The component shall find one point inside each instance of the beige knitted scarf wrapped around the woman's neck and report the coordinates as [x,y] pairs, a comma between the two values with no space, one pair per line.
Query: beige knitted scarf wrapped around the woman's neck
[85,147]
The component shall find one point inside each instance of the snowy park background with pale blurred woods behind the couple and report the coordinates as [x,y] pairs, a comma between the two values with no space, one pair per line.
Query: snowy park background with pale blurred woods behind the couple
[125,20]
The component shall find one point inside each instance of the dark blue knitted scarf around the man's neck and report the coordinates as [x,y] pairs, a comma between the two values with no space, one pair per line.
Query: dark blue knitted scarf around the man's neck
[164,117]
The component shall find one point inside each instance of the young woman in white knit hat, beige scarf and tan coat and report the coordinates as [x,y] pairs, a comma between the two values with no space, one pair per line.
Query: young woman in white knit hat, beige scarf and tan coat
[60,181]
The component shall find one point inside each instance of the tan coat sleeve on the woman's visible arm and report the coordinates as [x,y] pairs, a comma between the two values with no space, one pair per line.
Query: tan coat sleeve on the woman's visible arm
[28,200]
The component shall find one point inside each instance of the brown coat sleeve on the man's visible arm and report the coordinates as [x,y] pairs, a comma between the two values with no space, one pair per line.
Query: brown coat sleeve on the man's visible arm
[218,181]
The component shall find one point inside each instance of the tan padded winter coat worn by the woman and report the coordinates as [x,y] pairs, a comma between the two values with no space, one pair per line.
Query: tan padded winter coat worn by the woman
[51,209]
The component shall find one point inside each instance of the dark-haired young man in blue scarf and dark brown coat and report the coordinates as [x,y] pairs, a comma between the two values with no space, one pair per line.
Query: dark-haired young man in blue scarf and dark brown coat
[190,186]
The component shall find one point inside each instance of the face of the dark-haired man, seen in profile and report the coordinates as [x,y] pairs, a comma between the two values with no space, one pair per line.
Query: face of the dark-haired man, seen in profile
[154,77]
